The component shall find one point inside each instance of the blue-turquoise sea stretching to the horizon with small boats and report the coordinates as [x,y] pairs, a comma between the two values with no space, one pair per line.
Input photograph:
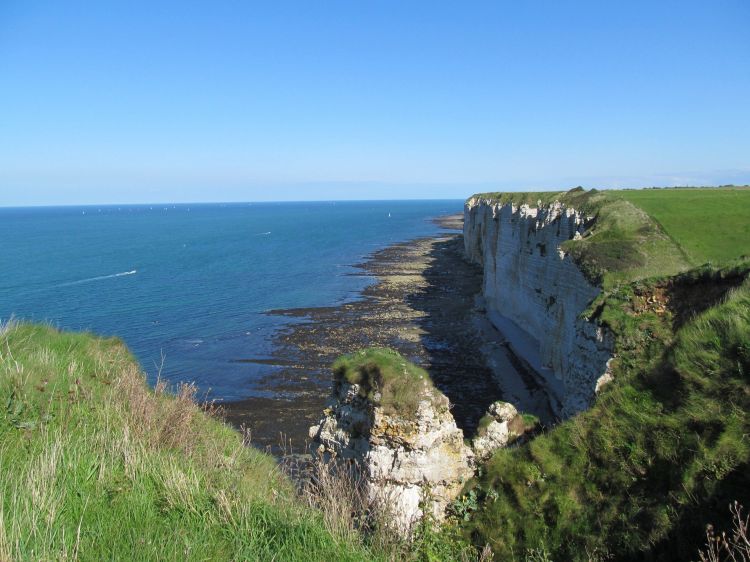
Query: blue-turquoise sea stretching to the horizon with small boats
[191,282]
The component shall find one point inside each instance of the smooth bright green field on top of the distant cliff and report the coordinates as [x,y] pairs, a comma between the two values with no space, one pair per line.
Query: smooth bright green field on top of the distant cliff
[710,225]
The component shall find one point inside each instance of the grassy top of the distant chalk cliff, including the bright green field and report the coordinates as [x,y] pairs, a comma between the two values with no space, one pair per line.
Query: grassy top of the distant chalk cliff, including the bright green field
[636,234]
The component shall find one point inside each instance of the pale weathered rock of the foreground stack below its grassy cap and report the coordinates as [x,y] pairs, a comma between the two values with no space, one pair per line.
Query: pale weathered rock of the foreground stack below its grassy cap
[411,464]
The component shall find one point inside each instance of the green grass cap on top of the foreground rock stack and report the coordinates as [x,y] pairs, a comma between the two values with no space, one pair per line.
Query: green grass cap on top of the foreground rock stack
[388,380]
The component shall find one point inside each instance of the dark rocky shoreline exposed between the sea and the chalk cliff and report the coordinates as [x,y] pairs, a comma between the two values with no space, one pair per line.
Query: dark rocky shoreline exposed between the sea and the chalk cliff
[423,304]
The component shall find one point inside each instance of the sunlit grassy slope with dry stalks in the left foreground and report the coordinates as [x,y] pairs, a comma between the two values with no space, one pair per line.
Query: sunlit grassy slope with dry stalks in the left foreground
[94,465]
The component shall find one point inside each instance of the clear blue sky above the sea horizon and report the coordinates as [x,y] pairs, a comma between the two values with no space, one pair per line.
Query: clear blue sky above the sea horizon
[243,101]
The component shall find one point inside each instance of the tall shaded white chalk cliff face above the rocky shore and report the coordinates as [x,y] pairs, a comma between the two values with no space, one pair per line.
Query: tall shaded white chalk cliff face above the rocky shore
[534,293]
